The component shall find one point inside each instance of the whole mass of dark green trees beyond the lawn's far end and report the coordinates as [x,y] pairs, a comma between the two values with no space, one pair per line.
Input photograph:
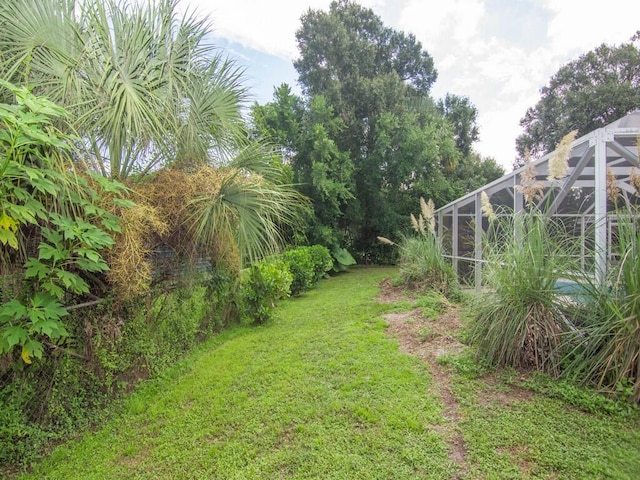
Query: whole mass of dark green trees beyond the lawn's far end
[366,140]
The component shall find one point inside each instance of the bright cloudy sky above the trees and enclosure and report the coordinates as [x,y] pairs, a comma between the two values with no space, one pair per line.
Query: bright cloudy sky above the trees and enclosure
[499,53]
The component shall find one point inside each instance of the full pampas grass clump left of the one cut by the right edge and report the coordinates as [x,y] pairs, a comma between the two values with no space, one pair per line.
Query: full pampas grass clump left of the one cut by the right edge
[520,321]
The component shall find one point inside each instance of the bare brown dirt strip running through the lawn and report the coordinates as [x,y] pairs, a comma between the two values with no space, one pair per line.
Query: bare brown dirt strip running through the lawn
[428,339]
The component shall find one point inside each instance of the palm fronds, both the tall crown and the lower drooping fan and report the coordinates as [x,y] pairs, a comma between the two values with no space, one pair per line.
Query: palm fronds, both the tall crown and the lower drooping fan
[145,90]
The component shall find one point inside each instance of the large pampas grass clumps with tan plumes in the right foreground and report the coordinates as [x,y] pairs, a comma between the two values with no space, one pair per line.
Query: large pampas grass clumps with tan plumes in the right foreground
[526,321]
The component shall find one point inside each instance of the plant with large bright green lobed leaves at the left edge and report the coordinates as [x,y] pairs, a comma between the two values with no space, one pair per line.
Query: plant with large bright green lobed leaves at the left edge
[46,205]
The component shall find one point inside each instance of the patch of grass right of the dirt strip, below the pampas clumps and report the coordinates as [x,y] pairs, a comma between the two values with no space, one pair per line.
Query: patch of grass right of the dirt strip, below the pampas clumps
[541,437]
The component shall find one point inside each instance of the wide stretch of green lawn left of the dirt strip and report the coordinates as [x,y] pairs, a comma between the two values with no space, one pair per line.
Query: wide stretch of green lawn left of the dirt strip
[320,392]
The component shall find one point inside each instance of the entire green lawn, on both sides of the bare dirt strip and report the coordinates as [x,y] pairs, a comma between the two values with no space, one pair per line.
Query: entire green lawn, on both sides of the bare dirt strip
[323,391]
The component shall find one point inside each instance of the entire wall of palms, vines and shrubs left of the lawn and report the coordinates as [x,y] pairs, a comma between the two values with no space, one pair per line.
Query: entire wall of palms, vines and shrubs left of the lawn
[104,281]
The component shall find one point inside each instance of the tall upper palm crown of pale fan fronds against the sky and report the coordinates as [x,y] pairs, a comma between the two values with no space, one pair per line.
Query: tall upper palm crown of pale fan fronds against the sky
[143,86]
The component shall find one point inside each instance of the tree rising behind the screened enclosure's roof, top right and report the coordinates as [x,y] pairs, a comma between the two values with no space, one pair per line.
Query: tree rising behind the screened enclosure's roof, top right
[588,93]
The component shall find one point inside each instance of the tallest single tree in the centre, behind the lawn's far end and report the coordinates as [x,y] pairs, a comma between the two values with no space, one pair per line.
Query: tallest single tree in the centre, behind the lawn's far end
[377,81]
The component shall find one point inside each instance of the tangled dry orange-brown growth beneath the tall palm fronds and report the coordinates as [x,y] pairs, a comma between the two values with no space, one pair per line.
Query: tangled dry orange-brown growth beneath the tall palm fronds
[162,216]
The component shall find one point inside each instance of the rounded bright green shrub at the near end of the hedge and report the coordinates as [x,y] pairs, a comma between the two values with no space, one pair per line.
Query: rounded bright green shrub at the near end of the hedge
[264,283]
